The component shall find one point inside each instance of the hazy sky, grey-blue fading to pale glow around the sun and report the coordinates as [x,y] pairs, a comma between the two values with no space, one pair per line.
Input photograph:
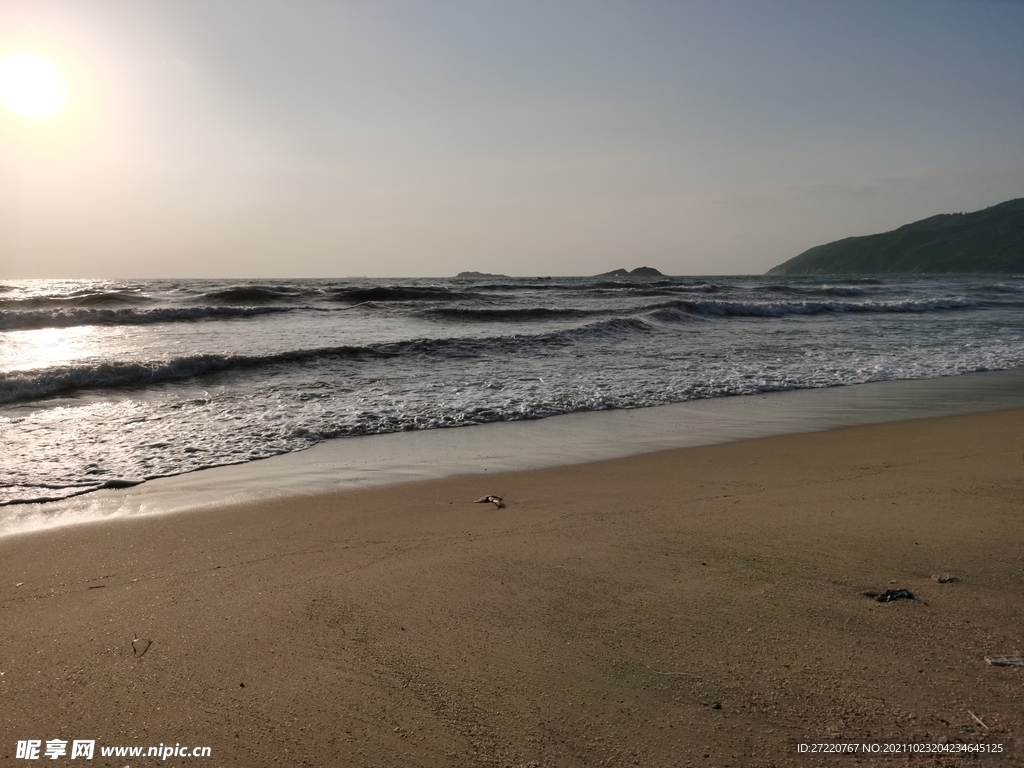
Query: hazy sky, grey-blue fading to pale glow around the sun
[223,139]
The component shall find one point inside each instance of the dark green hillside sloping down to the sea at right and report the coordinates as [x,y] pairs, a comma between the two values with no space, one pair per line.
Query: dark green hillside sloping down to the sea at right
[988,241]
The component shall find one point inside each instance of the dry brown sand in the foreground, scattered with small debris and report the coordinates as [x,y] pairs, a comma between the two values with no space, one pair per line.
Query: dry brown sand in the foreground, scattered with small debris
[700,607]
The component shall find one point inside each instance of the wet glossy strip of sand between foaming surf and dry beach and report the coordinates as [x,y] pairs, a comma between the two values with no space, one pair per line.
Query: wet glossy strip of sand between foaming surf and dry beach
[348,463]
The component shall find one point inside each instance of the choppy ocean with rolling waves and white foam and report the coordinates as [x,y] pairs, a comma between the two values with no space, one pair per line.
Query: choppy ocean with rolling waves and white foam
[107,385]
